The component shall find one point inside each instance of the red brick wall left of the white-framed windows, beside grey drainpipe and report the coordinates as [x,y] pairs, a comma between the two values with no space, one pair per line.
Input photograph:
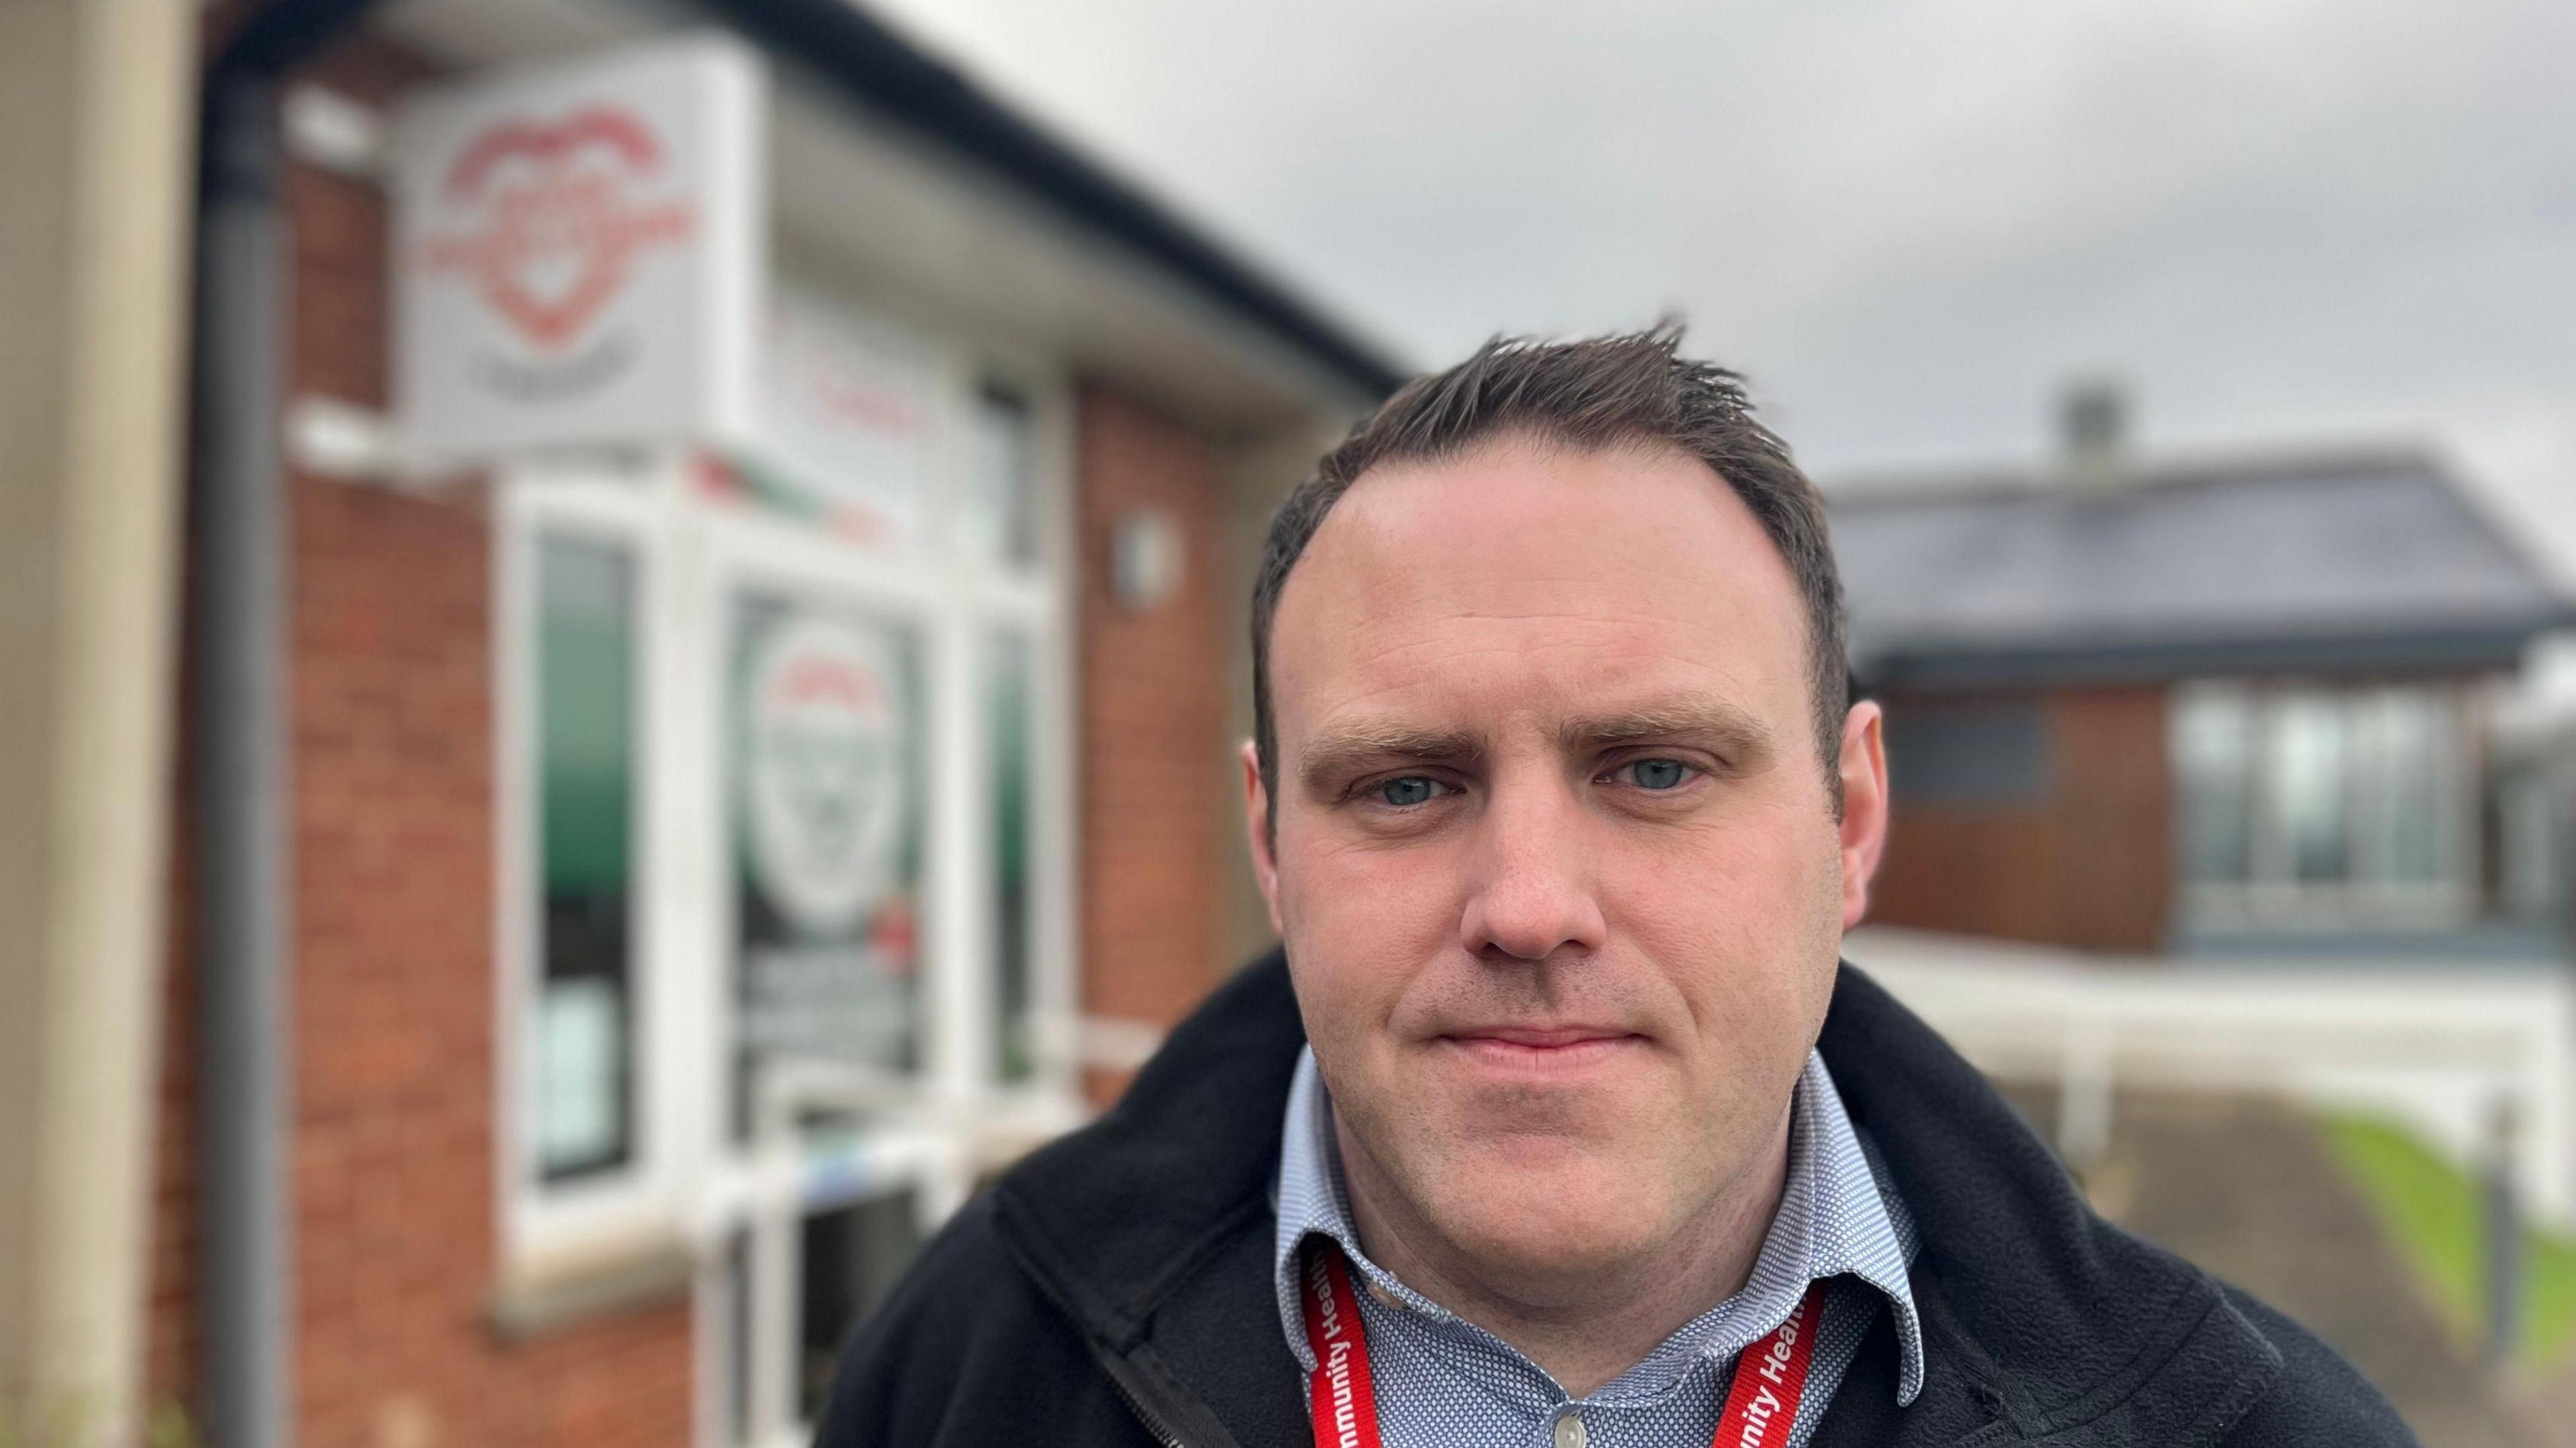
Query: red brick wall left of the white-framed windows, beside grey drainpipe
[393,1042]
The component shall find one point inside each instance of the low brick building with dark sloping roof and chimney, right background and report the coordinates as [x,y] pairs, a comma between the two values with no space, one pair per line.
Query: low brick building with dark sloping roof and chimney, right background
[2214,707]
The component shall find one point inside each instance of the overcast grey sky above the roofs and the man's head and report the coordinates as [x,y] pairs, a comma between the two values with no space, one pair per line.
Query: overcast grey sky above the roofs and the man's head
[1908,220]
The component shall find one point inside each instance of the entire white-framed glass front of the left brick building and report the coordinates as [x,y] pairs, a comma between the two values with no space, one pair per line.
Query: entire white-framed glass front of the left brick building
[784,864]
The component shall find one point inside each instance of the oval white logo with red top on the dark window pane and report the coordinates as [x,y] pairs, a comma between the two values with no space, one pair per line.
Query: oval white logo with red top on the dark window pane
[826,772]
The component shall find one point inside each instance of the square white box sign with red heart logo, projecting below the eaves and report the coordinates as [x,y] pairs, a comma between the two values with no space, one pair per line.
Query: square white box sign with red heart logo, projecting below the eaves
[581,254]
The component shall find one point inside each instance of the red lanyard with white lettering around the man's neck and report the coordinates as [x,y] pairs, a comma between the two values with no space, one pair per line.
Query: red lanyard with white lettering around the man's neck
[1771,1375]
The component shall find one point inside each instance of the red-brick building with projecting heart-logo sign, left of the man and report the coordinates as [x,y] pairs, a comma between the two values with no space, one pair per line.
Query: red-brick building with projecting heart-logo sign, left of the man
[717,584]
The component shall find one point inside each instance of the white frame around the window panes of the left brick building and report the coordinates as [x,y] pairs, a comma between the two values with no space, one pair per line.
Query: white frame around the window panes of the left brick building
[689,1184]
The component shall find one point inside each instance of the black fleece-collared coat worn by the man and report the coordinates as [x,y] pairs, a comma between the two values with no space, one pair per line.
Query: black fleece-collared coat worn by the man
[1117,1284]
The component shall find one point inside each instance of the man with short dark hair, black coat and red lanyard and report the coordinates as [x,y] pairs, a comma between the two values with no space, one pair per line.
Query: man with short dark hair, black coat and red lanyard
[1560,1119]
